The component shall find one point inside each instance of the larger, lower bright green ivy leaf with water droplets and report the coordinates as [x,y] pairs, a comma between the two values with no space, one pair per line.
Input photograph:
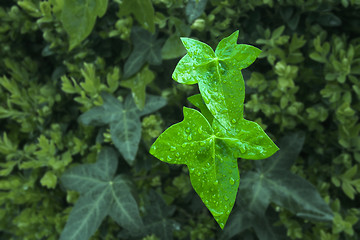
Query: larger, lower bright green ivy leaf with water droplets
[210,152]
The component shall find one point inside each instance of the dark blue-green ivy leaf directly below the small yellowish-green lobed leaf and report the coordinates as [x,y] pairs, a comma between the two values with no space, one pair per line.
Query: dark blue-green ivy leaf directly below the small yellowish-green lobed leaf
[124,121]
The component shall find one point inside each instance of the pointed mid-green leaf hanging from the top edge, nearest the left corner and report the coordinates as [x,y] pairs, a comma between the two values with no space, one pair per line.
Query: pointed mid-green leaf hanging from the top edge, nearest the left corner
[78,18]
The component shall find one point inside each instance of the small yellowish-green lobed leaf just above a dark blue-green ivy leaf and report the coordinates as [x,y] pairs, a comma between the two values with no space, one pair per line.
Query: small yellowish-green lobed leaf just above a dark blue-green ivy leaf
[137,84]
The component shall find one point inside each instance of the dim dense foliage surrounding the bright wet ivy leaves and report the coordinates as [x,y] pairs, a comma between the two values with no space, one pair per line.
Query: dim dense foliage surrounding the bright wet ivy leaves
[304,91]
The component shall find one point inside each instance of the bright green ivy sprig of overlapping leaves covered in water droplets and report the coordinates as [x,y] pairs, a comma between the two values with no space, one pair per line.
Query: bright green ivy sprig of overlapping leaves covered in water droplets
[210,146]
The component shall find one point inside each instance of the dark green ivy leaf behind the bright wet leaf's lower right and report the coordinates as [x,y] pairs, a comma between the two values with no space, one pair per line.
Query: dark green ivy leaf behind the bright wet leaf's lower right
[273,182]
